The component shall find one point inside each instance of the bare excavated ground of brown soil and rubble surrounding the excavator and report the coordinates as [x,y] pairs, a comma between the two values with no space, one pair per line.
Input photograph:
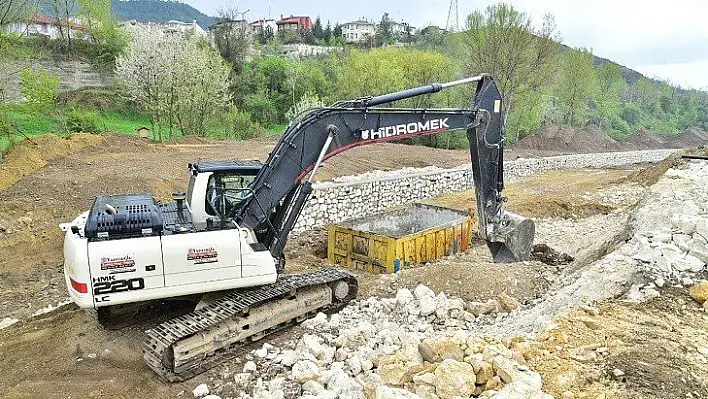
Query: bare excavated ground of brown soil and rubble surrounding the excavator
[594,316]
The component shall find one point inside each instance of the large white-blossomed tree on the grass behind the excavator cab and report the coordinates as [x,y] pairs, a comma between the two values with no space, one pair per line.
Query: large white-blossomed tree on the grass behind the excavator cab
[179,81]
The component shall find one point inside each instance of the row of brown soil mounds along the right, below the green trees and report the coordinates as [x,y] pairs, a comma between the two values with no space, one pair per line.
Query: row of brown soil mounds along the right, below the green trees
[590,139]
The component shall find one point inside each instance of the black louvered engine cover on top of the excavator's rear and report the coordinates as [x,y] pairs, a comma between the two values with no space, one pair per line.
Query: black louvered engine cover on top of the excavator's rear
[123,216]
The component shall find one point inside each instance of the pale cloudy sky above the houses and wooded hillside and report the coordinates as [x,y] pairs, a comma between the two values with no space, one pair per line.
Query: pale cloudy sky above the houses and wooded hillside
[668,42]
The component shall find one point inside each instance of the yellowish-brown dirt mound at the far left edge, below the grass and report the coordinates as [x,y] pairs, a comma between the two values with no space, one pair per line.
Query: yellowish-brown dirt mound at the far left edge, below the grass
[28,156]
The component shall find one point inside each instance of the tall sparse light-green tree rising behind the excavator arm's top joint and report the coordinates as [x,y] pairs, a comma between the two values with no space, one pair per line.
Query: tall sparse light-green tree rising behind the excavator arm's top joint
[503,42]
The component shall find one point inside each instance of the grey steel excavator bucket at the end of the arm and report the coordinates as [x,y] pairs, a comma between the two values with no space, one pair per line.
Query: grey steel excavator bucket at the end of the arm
[513,239]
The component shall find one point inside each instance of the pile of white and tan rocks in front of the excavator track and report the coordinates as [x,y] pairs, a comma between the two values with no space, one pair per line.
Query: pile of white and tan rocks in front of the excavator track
[415,345]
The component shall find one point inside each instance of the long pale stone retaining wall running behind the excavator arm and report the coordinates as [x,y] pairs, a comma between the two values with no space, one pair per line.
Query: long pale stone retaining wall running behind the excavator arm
[370,194]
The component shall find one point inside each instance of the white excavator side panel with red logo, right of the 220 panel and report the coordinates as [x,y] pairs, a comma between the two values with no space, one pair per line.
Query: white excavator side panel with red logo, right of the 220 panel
[201,257]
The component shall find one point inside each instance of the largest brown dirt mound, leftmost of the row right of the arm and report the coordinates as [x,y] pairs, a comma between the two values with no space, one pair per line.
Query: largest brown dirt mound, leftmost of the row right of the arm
[566,139]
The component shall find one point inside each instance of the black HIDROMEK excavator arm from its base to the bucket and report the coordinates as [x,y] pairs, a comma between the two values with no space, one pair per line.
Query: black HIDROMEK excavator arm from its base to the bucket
[281,189]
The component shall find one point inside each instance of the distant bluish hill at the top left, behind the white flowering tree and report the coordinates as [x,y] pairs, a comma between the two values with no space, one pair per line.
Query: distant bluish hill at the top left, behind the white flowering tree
[159,11]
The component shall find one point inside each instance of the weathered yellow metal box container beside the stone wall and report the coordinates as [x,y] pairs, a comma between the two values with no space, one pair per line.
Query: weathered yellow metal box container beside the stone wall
[396,240]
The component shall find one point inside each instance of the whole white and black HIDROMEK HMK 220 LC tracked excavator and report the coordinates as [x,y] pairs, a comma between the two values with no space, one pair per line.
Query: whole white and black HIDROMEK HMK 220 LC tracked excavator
[223,239]
